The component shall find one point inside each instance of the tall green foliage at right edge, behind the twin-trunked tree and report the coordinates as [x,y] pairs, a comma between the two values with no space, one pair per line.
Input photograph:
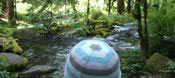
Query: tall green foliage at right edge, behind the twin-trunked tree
[162,29]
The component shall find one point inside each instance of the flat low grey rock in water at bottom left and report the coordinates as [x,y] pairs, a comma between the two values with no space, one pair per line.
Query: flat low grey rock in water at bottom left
[37,71]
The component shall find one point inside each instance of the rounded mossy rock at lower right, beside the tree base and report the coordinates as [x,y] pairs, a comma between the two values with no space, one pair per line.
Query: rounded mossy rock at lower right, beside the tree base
[156,62]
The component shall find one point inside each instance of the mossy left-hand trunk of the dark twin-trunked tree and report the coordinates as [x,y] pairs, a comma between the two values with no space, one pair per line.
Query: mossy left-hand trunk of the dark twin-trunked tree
[140,30]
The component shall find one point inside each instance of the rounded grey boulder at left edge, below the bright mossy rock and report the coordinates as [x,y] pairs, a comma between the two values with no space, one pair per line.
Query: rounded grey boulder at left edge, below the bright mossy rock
[14,61]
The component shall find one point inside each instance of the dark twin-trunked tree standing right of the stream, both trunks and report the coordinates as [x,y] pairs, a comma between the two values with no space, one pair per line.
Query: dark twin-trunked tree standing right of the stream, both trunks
[143,32]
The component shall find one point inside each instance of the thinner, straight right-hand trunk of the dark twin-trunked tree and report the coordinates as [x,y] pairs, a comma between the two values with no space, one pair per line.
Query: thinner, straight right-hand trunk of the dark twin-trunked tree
[146,28]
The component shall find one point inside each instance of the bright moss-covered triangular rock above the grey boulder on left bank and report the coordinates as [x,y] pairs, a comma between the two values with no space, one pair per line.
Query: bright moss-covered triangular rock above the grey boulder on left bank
[12,46]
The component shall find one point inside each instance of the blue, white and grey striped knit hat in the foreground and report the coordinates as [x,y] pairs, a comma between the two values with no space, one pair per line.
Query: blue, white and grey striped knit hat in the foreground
[92,59]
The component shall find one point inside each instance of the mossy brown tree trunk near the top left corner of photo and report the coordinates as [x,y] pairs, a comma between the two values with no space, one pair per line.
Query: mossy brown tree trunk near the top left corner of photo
[11,12]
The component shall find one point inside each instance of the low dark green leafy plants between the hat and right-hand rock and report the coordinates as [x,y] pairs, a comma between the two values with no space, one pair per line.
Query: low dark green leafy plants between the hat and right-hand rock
[132,63]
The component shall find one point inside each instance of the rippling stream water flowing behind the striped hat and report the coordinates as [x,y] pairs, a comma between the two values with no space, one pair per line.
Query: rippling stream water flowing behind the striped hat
[52,50]
